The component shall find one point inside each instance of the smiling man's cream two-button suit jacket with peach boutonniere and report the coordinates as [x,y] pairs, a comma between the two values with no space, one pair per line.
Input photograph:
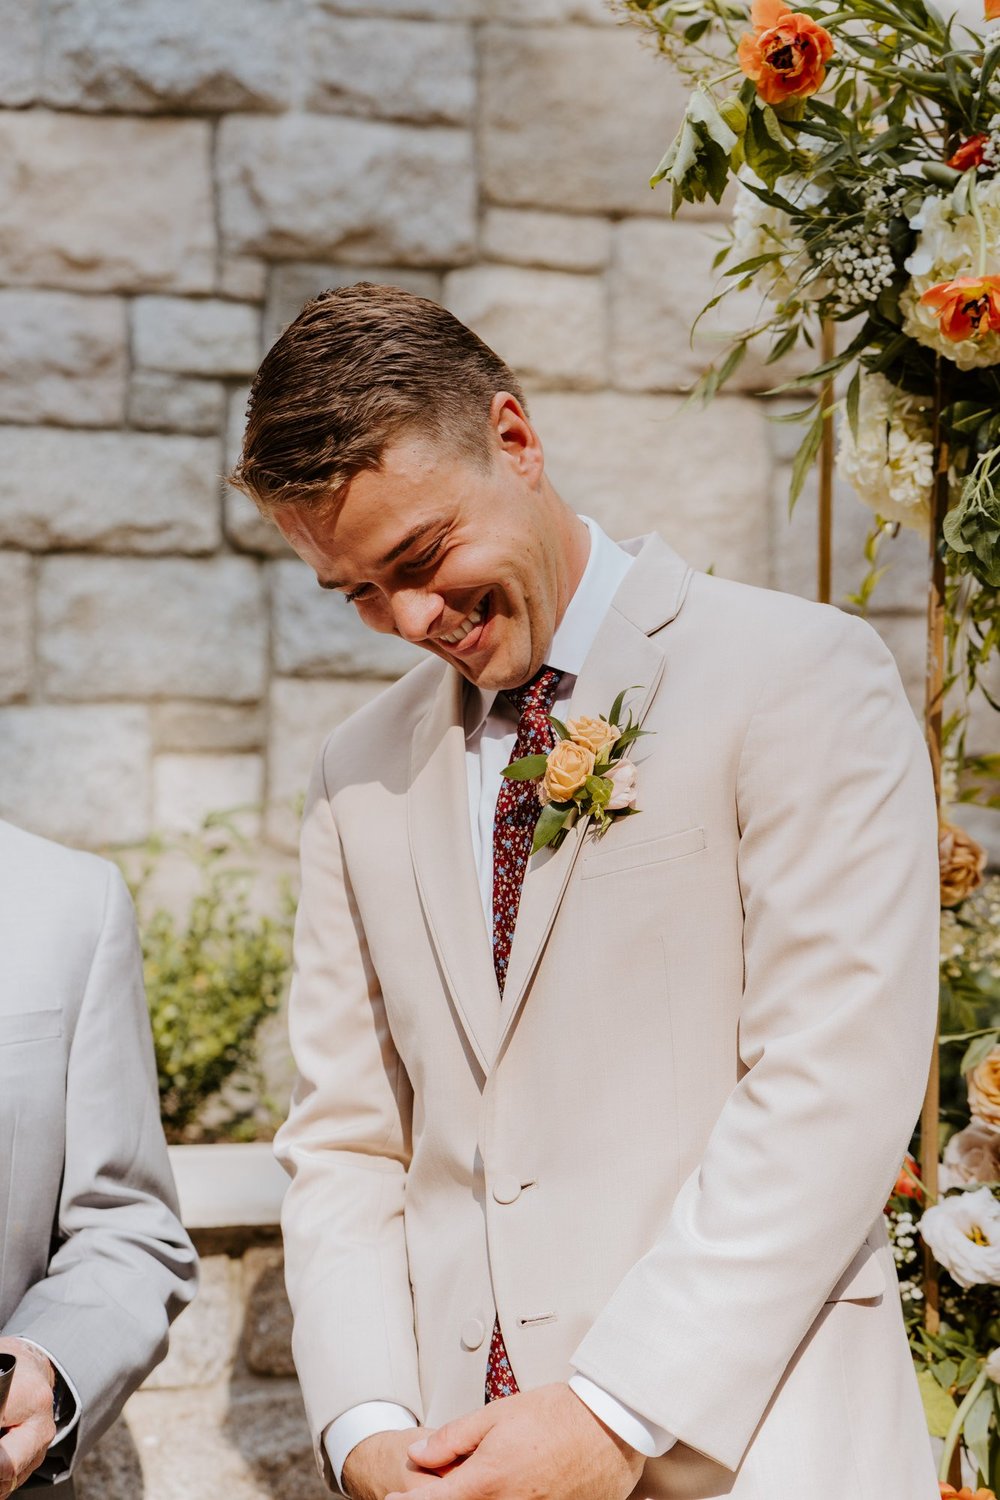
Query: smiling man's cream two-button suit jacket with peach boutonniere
[665,1157]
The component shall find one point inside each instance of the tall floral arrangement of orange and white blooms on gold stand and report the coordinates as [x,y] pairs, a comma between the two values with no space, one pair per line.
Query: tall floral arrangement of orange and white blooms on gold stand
[861,146]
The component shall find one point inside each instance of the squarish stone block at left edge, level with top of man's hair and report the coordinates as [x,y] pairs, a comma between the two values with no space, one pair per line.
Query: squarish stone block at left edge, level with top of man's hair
[62,359]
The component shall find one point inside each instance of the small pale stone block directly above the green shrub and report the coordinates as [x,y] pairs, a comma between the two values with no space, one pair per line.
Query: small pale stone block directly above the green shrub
[190,788]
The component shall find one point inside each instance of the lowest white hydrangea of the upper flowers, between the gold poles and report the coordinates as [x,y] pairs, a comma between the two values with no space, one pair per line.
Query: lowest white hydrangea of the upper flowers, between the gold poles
[891,464]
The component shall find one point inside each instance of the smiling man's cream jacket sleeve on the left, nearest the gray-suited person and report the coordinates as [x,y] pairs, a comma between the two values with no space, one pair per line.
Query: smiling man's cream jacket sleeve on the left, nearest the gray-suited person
[347,1147]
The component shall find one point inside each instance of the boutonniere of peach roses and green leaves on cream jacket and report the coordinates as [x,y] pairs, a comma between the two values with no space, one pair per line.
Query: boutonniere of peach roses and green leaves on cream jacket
[584,775]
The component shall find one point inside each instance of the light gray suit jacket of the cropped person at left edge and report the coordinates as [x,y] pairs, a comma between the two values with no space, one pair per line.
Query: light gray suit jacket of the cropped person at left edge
[94,1261]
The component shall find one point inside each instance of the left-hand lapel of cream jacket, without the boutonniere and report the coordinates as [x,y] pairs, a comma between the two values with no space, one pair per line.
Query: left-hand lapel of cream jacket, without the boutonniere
[445,865]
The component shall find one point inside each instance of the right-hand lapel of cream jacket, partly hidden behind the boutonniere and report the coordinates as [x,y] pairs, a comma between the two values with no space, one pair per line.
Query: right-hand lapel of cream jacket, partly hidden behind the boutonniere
[623,656]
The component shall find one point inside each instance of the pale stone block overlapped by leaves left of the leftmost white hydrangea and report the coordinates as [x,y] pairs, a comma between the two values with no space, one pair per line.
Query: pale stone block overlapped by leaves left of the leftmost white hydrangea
[662,280]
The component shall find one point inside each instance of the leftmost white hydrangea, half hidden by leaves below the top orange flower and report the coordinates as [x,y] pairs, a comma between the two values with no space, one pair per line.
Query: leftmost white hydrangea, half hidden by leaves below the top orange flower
[764,230]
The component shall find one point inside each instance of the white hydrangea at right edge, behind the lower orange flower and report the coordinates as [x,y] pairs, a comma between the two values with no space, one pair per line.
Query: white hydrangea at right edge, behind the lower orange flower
[948,248]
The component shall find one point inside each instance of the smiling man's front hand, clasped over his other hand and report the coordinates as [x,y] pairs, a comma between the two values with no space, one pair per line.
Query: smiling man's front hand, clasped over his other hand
[542,1444]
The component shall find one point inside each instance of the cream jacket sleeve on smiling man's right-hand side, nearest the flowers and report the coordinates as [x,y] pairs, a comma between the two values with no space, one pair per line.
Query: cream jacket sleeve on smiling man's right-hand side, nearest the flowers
[840,890]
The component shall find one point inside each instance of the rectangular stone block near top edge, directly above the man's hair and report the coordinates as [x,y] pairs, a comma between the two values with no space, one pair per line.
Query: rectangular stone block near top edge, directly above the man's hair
[391,70]
